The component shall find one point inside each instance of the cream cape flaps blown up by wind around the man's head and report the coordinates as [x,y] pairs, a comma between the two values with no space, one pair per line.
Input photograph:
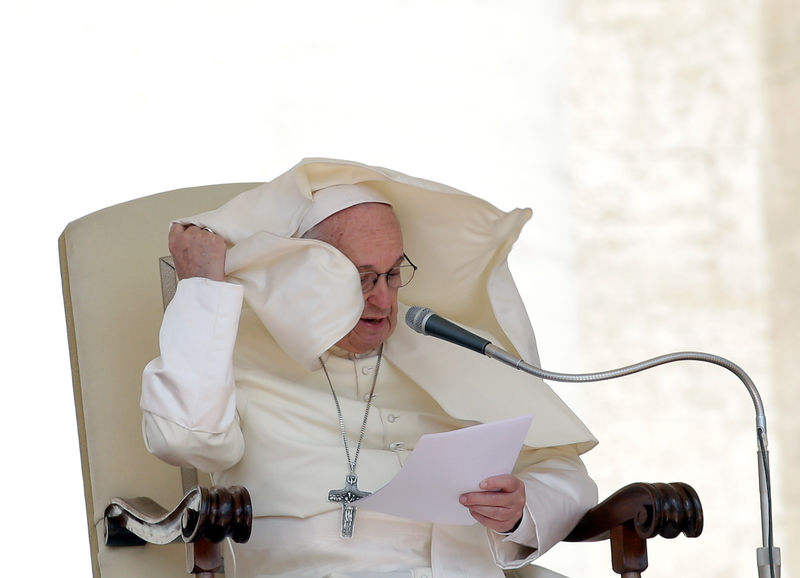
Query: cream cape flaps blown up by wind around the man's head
[459,242]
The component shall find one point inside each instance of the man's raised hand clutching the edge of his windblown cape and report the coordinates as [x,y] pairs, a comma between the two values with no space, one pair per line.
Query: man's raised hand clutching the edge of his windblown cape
[197,252]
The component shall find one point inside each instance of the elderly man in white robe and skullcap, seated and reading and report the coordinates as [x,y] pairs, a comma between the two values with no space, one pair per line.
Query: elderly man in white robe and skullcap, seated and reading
[284,368]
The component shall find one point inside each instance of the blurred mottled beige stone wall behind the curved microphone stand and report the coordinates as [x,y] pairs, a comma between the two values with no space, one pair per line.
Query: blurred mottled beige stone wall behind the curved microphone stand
[682,139]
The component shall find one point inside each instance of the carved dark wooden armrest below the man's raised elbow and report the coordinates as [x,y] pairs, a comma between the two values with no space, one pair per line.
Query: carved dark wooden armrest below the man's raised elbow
[202,519]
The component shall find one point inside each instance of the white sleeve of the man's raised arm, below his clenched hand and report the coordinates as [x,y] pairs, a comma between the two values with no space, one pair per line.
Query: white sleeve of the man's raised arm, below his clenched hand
[188,393]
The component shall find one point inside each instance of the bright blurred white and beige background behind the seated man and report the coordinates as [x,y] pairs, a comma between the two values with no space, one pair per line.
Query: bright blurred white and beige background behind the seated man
[653,139]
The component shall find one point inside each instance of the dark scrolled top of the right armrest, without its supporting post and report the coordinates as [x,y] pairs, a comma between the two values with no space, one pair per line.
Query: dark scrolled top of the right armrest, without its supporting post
[652,509]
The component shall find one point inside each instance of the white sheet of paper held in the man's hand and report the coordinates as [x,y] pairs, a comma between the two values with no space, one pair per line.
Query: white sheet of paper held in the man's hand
[445,465]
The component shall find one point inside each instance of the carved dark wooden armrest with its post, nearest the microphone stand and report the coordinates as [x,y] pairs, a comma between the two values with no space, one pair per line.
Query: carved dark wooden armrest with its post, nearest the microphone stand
[636,513]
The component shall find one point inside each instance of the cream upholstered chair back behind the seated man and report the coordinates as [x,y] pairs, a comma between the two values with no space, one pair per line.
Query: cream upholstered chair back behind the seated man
[113,305]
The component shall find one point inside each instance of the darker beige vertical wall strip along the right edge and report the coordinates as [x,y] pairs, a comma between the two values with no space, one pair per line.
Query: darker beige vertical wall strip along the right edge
[781,188]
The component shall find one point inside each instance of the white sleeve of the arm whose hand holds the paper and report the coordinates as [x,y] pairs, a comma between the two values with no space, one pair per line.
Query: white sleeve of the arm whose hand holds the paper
[558,493]
